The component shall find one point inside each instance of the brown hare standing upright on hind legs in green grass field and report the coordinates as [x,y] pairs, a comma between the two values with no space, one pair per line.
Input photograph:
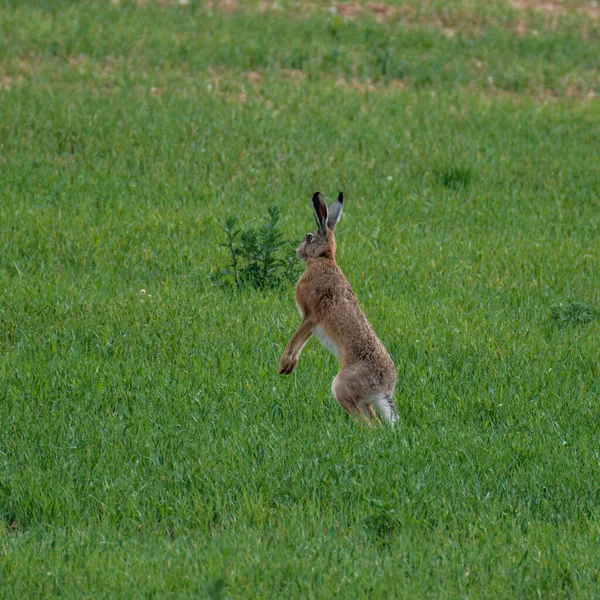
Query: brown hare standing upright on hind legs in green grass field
[330,310]
